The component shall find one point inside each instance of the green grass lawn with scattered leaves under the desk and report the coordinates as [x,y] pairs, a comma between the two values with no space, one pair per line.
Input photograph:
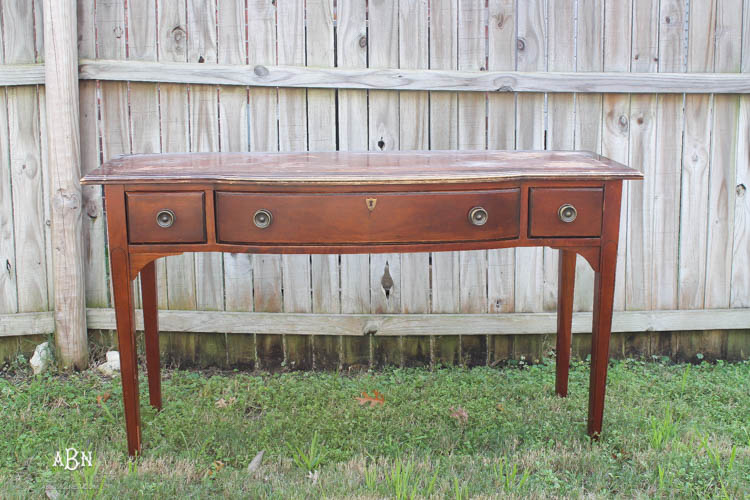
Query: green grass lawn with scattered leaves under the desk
[669,431]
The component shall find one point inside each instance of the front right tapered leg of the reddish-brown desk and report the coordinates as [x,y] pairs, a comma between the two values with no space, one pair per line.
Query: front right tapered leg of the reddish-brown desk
[604,292]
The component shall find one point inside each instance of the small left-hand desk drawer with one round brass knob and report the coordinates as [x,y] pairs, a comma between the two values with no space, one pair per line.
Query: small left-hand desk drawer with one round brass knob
[166,217]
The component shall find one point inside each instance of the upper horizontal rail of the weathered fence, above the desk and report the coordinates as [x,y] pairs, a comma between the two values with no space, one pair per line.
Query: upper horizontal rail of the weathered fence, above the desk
[390,79]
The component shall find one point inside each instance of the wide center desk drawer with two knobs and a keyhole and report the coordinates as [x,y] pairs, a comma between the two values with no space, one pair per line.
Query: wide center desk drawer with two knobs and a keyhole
[367,217]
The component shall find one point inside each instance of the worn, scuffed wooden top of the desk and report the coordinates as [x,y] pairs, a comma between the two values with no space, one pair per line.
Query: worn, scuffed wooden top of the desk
[358,167]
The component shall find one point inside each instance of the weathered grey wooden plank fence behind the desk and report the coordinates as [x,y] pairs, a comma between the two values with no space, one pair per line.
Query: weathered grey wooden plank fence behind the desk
[656,84]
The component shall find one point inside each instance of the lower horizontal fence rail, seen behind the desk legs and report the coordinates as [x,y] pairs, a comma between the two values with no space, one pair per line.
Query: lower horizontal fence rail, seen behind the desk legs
[387,325]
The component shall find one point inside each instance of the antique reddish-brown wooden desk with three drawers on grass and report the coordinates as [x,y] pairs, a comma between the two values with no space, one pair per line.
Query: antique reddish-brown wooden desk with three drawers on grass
[416,201]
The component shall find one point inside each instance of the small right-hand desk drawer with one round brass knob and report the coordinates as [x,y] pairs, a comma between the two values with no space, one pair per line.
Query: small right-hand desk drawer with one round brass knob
[555,212]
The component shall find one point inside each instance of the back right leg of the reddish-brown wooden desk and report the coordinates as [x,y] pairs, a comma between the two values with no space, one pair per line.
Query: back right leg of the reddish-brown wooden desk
[565,288]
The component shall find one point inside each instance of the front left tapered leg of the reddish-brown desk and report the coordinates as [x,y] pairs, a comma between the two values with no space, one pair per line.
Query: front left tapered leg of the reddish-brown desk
[122,286]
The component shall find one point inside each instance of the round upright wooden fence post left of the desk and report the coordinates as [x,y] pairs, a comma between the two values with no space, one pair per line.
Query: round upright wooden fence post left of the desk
[63,144]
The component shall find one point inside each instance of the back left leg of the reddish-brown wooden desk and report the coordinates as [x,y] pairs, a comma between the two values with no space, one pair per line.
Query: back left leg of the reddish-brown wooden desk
[149,294]
